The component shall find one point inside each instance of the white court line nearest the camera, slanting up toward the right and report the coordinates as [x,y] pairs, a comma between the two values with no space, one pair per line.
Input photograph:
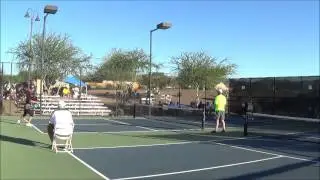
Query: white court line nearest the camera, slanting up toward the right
[202,169]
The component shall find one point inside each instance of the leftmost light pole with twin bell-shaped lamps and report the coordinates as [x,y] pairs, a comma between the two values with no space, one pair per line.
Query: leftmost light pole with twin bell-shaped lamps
[31,14]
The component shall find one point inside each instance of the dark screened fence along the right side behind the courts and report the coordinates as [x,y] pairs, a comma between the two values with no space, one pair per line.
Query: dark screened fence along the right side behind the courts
[288,96]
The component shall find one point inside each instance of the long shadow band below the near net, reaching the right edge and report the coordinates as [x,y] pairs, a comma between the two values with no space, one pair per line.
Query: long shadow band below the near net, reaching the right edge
[291,147]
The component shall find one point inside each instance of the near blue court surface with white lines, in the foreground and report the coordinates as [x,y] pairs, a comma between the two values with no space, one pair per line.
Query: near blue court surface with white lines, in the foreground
[228,159]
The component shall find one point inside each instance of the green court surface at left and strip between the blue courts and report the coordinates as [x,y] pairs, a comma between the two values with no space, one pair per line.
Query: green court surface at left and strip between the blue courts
[25,152]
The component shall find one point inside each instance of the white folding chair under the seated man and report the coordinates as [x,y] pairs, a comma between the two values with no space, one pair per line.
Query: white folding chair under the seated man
[63,134]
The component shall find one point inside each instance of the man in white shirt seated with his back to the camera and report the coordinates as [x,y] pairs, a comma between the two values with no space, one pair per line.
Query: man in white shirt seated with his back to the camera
[61,118]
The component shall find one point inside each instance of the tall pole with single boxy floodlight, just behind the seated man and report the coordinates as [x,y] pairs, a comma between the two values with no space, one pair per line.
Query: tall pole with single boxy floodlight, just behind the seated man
[48,9]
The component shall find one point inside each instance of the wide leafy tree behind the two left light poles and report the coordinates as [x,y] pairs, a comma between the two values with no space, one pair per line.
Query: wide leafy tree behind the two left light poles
[61,57]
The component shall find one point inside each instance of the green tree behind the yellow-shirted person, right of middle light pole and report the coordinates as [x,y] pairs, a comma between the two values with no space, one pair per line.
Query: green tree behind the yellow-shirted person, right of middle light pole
[198,69]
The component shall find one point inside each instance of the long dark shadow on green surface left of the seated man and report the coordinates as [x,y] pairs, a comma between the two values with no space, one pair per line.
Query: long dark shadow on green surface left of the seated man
[22,141]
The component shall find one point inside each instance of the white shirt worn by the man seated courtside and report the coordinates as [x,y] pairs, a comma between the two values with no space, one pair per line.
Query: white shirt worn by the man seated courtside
[62,119]
